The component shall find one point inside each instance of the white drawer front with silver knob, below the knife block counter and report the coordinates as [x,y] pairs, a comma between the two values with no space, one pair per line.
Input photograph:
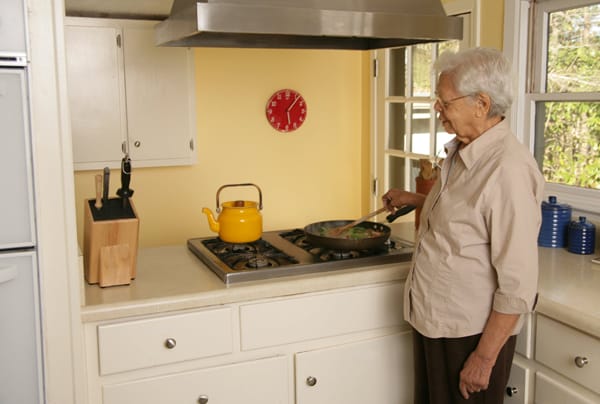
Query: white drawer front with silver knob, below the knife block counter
[157,341]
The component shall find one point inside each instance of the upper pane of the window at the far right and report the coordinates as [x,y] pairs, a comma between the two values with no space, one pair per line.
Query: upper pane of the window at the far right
[574,50]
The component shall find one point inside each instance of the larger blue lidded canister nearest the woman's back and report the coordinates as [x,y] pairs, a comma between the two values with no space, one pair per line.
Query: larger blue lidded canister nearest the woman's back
[555,223]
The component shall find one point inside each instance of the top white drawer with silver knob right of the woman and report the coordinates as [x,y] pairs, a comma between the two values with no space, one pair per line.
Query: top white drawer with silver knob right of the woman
[559,347]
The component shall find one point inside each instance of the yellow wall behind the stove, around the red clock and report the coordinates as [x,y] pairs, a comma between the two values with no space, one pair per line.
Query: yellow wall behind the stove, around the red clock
[315,173]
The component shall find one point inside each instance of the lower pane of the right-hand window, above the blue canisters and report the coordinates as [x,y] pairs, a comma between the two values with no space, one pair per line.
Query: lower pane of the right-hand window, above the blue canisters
[568,142]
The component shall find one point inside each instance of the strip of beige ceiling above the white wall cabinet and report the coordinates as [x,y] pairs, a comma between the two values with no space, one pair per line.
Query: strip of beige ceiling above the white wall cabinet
[148,9]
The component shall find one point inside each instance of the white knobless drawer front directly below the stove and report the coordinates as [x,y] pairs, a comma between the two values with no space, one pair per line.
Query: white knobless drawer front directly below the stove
[323,315]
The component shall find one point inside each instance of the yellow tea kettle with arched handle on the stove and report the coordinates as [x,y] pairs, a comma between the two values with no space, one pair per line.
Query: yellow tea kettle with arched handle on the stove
[239,221]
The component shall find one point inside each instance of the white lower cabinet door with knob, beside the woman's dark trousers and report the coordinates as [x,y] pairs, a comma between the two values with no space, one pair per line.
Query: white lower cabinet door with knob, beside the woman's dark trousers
[379,370]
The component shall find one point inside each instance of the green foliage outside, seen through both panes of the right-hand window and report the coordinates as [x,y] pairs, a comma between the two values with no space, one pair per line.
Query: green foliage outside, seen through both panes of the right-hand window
[572,129]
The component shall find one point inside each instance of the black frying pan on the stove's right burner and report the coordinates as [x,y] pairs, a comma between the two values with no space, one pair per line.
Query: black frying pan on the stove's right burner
[314,233]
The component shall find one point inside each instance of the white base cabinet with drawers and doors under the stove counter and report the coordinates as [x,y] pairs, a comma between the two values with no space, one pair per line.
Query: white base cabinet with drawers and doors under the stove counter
[352,340]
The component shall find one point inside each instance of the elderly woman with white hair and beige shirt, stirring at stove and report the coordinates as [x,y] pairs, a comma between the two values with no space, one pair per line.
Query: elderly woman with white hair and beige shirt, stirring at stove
[474,270]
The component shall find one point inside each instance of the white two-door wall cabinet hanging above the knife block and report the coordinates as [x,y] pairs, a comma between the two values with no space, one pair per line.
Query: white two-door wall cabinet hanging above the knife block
[128,95]
